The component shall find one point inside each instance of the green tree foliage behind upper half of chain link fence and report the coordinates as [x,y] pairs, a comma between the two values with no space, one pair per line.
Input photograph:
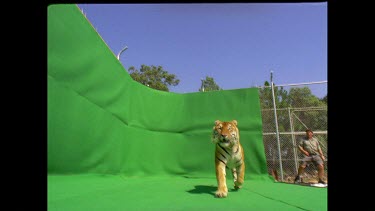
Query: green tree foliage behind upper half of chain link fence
[299,104]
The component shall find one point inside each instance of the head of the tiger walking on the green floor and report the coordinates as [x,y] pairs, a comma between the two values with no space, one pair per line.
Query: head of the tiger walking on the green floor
[225,133]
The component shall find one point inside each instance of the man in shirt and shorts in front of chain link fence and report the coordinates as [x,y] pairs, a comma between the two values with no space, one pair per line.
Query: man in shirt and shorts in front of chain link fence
[312,152]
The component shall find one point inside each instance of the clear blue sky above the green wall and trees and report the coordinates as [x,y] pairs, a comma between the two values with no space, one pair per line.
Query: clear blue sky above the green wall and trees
[237,44]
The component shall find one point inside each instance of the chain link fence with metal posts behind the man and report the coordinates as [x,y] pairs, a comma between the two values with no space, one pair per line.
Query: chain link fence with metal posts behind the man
[286,114]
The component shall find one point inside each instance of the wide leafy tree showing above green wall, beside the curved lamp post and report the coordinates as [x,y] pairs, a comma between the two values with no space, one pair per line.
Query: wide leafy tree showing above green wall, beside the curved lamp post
[154,77]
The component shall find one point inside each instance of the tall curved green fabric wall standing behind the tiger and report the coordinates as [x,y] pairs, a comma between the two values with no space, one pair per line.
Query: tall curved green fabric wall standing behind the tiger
[101,121]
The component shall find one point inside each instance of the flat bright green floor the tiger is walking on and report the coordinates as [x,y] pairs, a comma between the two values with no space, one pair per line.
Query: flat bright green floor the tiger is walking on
[114,192]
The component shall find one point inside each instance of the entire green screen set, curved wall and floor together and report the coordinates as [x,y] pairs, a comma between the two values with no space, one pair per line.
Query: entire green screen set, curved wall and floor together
[112,141]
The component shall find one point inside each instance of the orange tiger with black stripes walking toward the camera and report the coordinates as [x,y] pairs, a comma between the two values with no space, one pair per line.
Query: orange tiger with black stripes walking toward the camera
[228,154]
